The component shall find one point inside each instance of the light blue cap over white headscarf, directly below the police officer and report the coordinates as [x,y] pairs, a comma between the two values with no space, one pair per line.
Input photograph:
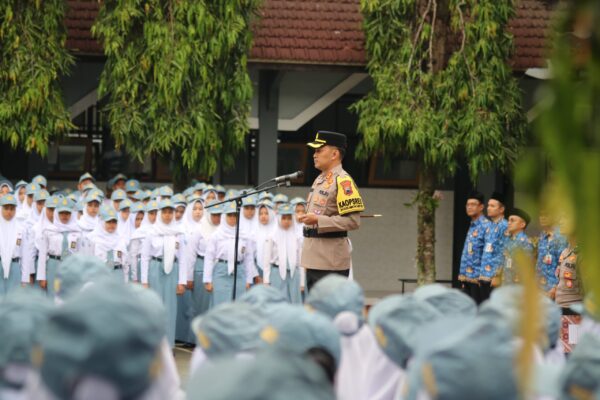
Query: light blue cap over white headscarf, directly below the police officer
[340,299]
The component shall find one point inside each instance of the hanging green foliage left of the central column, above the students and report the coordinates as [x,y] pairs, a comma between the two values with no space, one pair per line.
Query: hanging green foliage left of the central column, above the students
[176,78]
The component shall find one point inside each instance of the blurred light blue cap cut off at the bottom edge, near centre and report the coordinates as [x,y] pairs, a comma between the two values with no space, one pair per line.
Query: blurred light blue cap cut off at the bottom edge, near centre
[270,376]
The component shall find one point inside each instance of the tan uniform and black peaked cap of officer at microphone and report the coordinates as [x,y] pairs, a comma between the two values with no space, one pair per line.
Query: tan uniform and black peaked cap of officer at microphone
[336,201]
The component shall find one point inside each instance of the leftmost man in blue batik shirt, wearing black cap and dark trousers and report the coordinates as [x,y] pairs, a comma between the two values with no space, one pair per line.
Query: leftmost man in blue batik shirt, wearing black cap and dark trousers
[470,261]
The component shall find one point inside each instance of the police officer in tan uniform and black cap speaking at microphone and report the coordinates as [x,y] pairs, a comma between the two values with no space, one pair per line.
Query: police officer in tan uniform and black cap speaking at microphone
[333,208]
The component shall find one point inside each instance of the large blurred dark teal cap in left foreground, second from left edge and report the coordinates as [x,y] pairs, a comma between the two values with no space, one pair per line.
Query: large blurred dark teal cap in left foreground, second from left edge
[104,333]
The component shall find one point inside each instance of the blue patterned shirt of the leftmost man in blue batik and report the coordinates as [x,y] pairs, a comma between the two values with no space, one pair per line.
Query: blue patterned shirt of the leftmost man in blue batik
[470,262]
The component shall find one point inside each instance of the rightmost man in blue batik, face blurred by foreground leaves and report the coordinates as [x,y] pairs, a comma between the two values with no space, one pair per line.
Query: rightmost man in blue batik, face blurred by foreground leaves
[550,245]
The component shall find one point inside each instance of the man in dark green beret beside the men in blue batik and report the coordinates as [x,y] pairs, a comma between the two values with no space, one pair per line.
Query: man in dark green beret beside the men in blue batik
[516,241]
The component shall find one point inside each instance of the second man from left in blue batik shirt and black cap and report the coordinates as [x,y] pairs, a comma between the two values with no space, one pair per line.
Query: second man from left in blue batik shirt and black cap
[493,250]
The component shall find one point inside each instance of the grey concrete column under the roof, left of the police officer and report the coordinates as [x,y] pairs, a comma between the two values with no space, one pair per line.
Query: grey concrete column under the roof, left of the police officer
[268,116]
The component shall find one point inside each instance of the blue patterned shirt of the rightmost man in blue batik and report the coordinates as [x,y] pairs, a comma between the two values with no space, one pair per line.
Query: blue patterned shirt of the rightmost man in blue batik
[550,246]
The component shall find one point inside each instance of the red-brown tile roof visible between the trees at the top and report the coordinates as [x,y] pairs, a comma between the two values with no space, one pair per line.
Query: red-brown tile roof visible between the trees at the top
[325,32]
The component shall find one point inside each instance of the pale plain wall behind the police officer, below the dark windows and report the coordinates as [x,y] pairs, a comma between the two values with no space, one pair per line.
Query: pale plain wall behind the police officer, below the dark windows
[385,248]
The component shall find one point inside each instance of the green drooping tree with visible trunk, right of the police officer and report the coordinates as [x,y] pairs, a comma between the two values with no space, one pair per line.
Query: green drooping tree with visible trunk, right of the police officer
[443,92]
